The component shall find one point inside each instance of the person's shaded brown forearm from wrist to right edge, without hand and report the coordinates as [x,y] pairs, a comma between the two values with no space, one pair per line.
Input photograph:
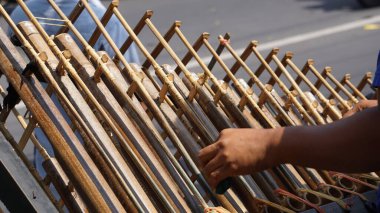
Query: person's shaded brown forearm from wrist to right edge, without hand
[348,145]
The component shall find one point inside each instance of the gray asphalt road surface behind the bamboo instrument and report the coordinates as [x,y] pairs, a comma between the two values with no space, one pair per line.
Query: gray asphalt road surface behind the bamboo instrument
[353,51]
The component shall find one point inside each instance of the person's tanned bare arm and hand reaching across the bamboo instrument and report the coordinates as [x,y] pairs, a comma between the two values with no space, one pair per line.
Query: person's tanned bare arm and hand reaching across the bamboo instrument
[348,145]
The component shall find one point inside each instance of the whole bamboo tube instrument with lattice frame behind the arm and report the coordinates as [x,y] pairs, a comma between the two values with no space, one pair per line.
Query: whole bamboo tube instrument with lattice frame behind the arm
[133,132]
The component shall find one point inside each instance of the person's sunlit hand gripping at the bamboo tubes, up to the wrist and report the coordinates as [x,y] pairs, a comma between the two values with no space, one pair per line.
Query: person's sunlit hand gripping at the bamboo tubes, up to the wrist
[238,152]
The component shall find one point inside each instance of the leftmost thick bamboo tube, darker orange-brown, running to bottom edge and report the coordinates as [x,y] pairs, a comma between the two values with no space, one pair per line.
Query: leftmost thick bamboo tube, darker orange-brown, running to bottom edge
[86,187]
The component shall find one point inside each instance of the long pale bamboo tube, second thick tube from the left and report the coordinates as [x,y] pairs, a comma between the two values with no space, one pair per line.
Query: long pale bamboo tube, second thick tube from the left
[96,132]
